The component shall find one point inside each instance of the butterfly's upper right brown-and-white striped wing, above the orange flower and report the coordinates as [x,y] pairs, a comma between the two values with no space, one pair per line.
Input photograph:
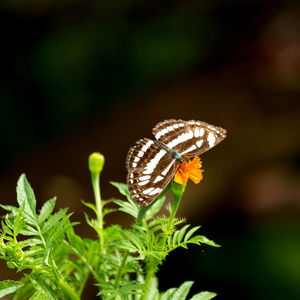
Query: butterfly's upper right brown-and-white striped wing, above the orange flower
[188,138]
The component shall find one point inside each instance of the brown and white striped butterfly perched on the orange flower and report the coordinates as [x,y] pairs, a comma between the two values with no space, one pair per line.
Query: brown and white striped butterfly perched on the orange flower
[152,164]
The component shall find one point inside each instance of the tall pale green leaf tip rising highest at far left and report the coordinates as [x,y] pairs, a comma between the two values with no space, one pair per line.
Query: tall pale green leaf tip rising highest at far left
[25,194]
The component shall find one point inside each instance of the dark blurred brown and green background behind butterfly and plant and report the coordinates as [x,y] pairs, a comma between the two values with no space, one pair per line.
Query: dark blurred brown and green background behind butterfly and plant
[84,76]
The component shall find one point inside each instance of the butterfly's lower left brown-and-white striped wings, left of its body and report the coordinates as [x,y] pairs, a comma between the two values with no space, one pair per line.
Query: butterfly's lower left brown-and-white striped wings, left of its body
[150,169]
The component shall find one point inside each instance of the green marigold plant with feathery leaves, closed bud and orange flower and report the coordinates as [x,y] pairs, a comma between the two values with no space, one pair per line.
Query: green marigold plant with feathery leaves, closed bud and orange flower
[56,262]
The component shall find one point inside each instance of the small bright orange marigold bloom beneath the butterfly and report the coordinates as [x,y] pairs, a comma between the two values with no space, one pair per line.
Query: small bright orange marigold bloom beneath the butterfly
[190,169]
